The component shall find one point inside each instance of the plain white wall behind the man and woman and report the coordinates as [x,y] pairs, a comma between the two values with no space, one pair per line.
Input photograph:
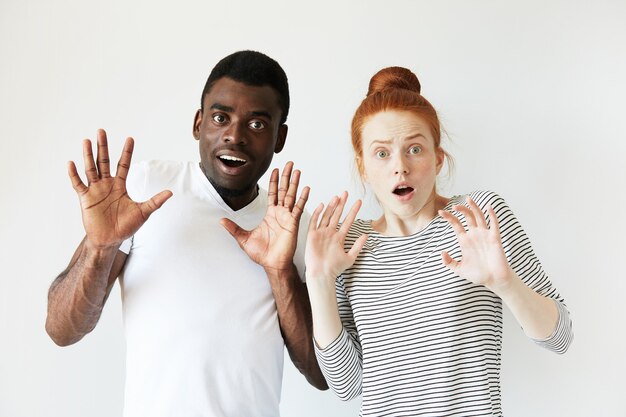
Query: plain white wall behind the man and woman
[531,94]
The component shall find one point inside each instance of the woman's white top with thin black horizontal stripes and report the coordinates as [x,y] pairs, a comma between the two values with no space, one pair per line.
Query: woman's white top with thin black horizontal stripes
[418,339]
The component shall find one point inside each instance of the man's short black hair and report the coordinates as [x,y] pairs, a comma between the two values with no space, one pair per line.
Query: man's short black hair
[255,69]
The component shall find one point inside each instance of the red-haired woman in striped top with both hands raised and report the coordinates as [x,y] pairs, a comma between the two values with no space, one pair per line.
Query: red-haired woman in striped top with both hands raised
[407,308]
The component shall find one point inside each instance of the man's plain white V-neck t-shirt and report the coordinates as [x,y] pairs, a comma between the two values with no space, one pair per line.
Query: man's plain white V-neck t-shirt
[202,334]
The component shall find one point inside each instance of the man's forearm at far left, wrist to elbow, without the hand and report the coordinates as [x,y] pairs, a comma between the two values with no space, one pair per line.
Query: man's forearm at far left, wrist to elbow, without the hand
[77,295]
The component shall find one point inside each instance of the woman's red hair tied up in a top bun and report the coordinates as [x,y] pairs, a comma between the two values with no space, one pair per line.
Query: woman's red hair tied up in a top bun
[393,88]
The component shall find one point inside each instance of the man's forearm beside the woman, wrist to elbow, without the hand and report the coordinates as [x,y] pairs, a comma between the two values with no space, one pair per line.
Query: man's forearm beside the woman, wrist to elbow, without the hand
[294,315]
